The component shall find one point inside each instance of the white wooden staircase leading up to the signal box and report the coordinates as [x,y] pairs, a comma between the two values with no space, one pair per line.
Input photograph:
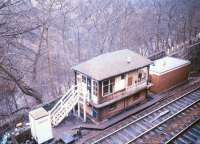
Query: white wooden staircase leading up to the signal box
[64,105]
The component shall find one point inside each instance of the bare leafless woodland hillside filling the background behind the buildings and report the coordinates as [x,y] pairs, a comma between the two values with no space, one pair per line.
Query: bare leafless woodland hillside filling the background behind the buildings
[40,40]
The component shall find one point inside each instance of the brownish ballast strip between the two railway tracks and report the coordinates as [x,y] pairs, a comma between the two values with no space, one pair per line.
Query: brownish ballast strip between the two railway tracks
[166,130]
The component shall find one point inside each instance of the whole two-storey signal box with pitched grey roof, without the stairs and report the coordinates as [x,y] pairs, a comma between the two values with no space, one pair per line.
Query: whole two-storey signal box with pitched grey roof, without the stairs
[113,82]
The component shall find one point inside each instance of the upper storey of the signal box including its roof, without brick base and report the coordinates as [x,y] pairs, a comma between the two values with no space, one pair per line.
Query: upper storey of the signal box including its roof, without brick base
[116,78]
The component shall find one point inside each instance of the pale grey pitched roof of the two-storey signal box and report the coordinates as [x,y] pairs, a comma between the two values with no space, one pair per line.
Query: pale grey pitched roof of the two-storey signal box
[112,64]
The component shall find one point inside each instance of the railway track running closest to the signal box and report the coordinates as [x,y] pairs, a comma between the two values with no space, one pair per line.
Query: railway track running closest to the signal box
[152,121]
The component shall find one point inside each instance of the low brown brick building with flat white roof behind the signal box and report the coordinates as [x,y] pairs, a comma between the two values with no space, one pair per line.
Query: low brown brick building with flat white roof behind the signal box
[168,72]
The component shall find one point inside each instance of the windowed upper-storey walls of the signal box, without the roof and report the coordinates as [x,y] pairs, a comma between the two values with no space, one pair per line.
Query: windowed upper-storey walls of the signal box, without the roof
[114,88]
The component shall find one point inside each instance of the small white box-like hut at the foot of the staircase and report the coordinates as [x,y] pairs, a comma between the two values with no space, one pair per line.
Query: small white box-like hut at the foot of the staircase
[40,124]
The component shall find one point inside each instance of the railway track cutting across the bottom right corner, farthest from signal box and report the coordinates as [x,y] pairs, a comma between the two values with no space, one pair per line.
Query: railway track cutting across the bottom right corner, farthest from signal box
[191,134]
